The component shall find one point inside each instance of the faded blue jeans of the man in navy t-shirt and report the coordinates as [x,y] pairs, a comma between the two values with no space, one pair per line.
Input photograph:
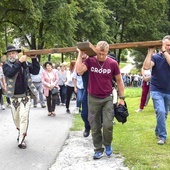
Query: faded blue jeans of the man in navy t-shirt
[161,102]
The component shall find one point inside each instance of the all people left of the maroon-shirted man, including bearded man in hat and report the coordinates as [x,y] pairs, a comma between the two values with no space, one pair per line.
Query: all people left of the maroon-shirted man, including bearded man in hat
[24,84]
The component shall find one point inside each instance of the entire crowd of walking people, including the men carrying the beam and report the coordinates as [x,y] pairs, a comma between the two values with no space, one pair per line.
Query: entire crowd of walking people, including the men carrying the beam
[91,79]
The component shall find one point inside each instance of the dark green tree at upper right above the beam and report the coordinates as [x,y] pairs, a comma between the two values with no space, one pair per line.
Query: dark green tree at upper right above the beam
[137,21]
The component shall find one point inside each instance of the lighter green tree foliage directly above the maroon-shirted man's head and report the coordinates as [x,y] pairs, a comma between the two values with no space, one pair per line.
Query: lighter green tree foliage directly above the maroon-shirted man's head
[92,21]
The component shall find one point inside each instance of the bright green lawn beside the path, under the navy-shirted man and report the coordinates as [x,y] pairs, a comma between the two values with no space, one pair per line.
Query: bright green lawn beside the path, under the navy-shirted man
[135,139]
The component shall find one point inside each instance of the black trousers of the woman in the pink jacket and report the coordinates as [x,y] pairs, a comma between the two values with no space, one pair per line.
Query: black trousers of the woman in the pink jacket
[51,102]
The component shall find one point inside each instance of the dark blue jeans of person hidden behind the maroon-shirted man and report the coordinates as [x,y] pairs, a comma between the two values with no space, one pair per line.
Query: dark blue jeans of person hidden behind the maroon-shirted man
[84,112]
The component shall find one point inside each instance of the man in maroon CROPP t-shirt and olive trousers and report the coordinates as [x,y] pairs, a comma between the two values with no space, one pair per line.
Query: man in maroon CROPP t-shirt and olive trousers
[102,70]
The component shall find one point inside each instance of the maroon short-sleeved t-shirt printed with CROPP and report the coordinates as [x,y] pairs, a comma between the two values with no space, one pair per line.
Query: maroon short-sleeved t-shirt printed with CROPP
[100,76]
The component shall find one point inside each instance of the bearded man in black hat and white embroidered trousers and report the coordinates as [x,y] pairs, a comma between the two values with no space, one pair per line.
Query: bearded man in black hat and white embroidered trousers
[20,88]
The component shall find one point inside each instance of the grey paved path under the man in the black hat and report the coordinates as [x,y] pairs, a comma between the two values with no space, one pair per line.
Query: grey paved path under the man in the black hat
[46,136]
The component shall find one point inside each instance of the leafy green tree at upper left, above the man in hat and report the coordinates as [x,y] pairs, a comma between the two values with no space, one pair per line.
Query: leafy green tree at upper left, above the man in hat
[44,22]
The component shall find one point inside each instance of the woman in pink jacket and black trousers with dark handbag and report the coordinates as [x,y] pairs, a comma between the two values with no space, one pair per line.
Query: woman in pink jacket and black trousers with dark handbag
[50,80]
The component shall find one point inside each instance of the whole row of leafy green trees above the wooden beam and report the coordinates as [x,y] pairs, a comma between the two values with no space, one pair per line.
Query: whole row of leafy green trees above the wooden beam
[45,23]
